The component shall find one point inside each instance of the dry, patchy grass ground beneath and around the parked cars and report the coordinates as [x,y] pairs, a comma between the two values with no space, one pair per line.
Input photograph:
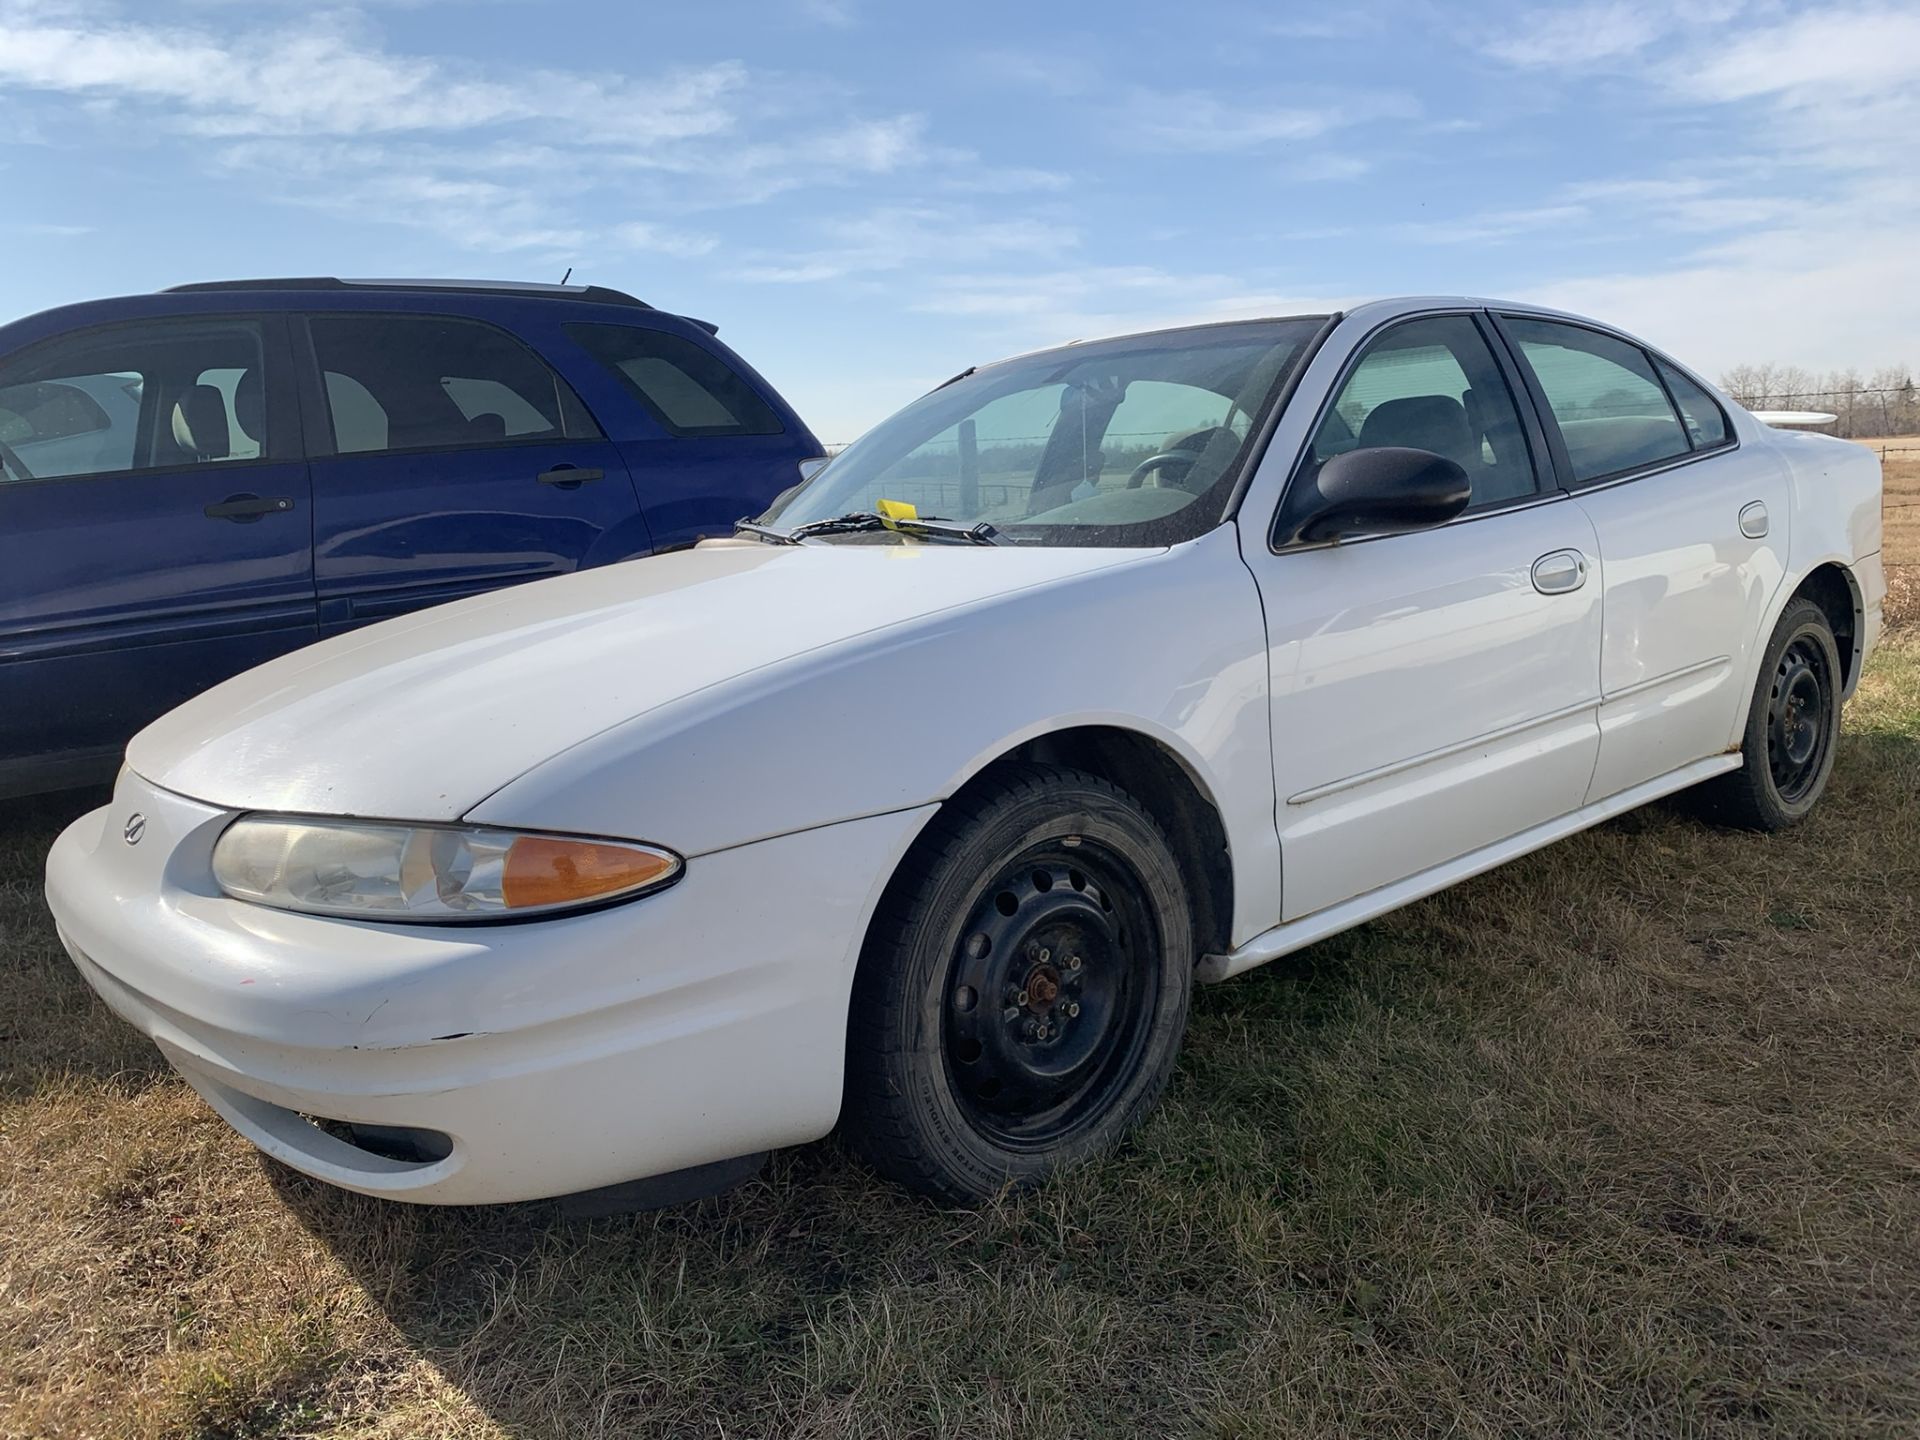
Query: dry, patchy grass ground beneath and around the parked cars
[1623,1138]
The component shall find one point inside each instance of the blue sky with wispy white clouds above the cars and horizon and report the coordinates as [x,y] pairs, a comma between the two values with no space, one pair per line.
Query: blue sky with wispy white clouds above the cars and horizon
[871,197]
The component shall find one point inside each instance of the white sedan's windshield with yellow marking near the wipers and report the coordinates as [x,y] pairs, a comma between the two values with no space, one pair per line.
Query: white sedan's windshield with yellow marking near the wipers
[1118,443]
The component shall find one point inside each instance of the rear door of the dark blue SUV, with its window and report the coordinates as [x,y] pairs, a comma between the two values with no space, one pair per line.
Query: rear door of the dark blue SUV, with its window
[452,460]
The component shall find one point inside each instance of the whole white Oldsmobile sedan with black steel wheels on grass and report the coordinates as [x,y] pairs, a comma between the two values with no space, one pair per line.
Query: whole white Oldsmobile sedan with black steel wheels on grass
[921,804]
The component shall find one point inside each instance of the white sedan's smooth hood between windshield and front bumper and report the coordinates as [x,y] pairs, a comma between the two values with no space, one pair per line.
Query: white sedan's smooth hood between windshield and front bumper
[427,715]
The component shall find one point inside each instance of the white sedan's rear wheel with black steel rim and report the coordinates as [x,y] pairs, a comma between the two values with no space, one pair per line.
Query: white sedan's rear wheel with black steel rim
[1792,729]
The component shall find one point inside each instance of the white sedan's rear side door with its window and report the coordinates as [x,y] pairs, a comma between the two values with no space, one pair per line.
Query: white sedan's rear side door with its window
[1692,540]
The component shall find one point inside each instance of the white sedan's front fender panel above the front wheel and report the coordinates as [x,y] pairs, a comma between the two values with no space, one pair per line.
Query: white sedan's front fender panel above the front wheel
[1172,648]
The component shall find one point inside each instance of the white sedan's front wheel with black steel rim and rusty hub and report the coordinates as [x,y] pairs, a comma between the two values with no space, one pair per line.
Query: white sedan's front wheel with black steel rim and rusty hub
[1024,988]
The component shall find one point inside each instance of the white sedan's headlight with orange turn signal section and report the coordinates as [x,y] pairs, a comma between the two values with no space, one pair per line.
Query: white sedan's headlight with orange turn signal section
[387,871]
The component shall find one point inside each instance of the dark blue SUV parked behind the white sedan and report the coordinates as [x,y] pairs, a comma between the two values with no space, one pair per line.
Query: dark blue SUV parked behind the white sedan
[199,481]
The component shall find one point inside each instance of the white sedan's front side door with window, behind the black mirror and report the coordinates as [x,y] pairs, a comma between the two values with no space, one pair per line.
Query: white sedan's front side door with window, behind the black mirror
[1431,692]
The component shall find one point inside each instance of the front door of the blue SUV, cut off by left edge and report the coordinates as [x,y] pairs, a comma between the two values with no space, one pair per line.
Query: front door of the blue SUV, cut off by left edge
[155,531]
